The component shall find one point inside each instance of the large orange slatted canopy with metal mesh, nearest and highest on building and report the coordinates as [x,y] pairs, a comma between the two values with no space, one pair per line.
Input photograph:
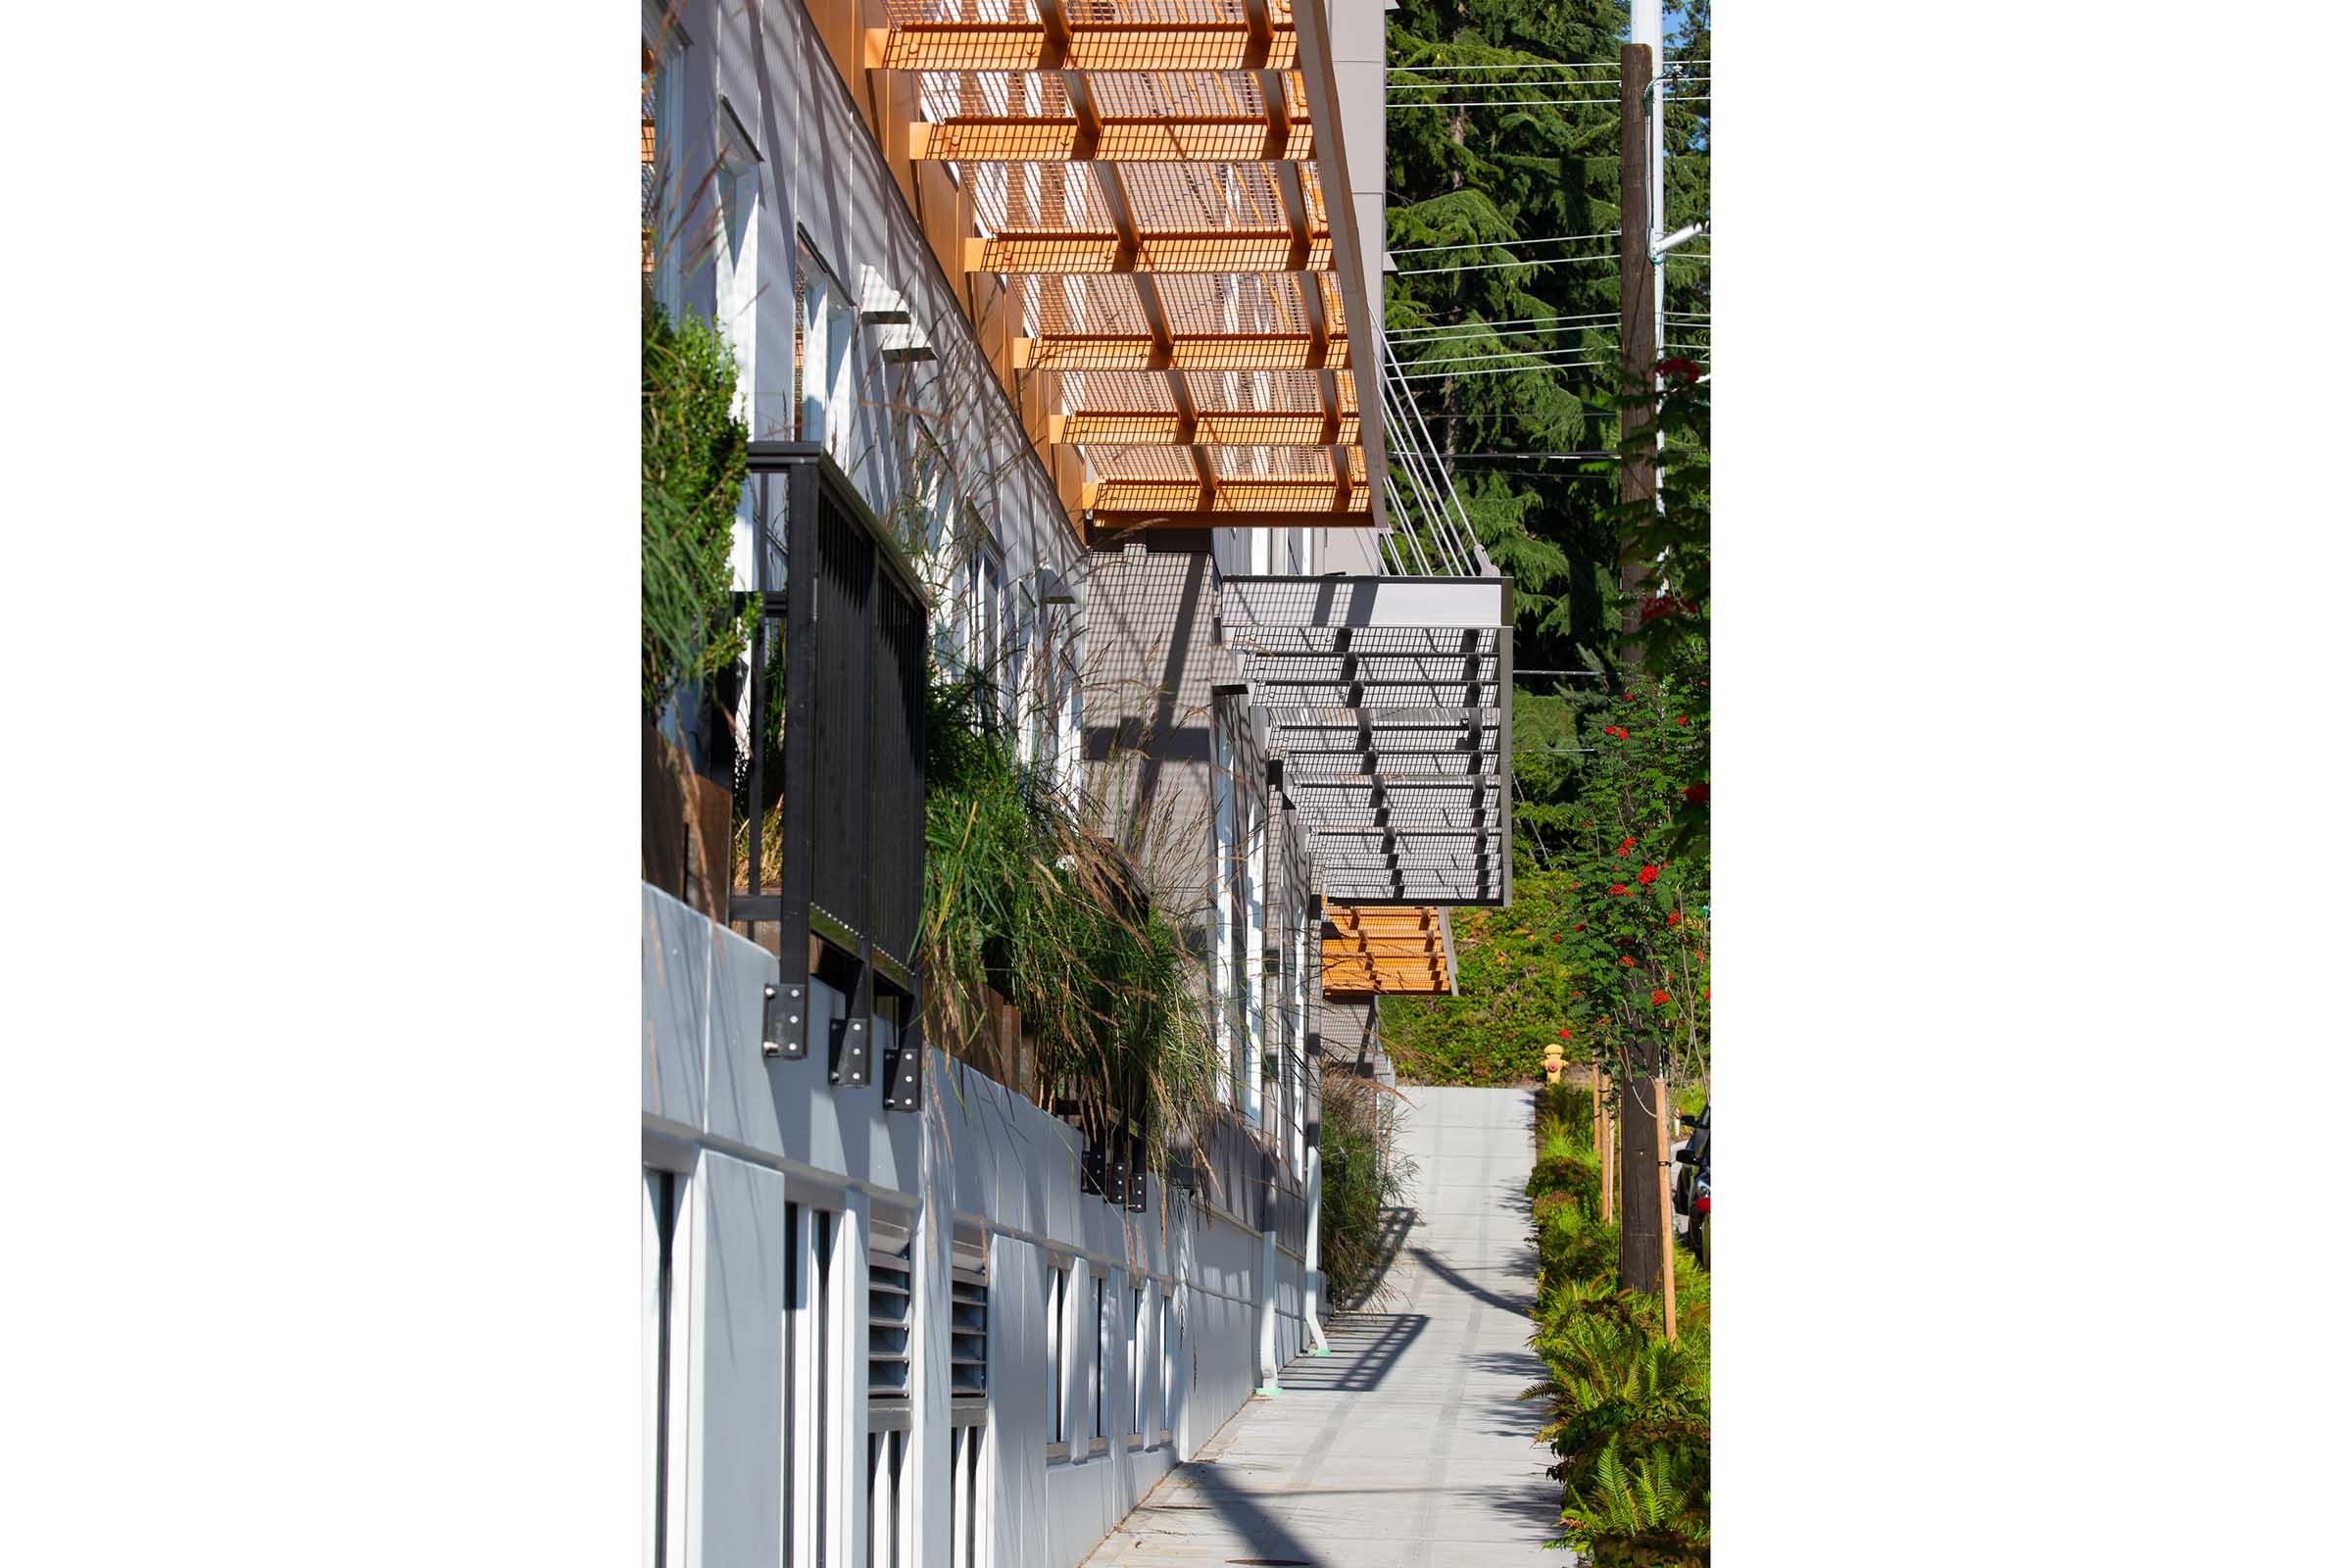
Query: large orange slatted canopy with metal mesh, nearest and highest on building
[1144,180]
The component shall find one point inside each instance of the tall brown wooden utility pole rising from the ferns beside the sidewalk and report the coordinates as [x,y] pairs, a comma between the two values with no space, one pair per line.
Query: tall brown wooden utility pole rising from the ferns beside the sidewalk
[1643,1235]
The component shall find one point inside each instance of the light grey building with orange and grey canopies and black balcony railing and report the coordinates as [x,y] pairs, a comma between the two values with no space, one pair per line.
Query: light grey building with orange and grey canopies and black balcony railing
[1057,333]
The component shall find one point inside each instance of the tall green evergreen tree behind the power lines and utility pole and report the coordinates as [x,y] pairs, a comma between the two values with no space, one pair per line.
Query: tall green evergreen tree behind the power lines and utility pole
[1514,349]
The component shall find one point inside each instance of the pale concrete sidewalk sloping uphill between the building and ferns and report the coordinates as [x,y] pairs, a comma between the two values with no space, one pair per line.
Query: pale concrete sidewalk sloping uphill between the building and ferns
[1408,1445]
